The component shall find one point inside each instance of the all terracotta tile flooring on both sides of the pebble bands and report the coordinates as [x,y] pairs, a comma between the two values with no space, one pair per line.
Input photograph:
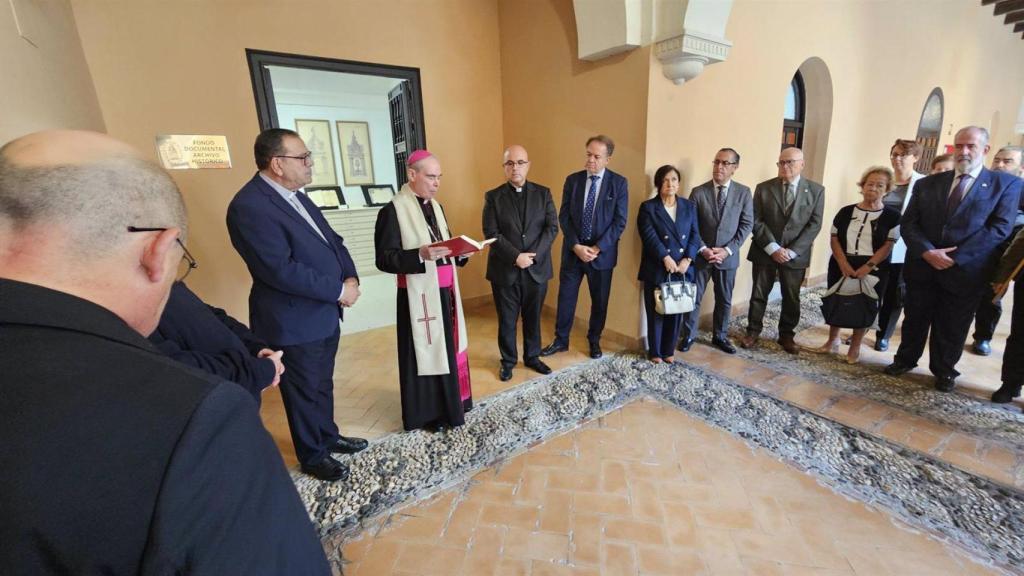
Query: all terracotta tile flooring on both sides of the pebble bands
[688,499]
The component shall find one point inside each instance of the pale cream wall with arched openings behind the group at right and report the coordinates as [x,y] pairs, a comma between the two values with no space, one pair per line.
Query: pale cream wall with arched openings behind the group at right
[884,59]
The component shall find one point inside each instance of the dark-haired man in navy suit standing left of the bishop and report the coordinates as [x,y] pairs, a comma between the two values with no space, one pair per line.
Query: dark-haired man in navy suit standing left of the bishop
[304,277]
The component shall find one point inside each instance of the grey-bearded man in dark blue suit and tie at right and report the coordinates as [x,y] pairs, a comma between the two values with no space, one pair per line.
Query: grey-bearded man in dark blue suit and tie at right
[953,227]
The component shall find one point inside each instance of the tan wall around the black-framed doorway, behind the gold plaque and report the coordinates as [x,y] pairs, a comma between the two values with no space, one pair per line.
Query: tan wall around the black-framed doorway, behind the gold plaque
[181,68]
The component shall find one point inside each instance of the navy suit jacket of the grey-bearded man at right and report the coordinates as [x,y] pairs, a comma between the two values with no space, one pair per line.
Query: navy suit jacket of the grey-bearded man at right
[980,224]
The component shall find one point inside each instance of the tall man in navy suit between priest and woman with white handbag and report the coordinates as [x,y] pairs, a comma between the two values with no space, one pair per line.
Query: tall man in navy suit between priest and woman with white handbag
[595,202]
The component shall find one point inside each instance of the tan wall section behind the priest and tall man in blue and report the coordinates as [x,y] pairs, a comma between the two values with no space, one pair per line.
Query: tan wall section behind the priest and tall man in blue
[553,103]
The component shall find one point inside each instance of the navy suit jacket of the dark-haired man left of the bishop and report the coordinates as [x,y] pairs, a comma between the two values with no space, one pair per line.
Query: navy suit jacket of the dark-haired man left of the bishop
[297,277]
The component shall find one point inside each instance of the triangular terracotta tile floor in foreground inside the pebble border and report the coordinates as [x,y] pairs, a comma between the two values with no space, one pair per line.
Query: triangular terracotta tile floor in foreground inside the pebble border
[647,490]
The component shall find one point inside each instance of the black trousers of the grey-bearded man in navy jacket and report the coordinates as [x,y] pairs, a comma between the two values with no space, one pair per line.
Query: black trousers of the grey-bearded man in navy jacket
[942,319]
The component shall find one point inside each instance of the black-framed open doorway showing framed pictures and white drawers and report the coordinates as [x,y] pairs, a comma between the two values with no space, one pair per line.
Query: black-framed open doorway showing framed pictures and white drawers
[361,121]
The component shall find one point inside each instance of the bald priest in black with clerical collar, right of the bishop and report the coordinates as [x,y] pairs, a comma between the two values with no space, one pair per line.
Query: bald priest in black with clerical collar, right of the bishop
[522,216]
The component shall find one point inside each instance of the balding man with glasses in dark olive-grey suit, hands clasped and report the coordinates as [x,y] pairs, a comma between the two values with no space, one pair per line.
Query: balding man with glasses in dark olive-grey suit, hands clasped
[787,219]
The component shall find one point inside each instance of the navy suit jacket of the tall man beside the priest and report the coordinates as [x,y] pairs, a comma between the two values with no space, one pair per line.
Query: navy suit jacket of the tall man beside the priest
[610,217]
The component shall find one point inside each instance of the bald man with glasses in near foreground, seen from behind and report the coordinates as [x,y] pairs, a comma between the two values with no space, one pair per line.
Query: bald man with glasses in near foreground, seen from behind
[116,460]
